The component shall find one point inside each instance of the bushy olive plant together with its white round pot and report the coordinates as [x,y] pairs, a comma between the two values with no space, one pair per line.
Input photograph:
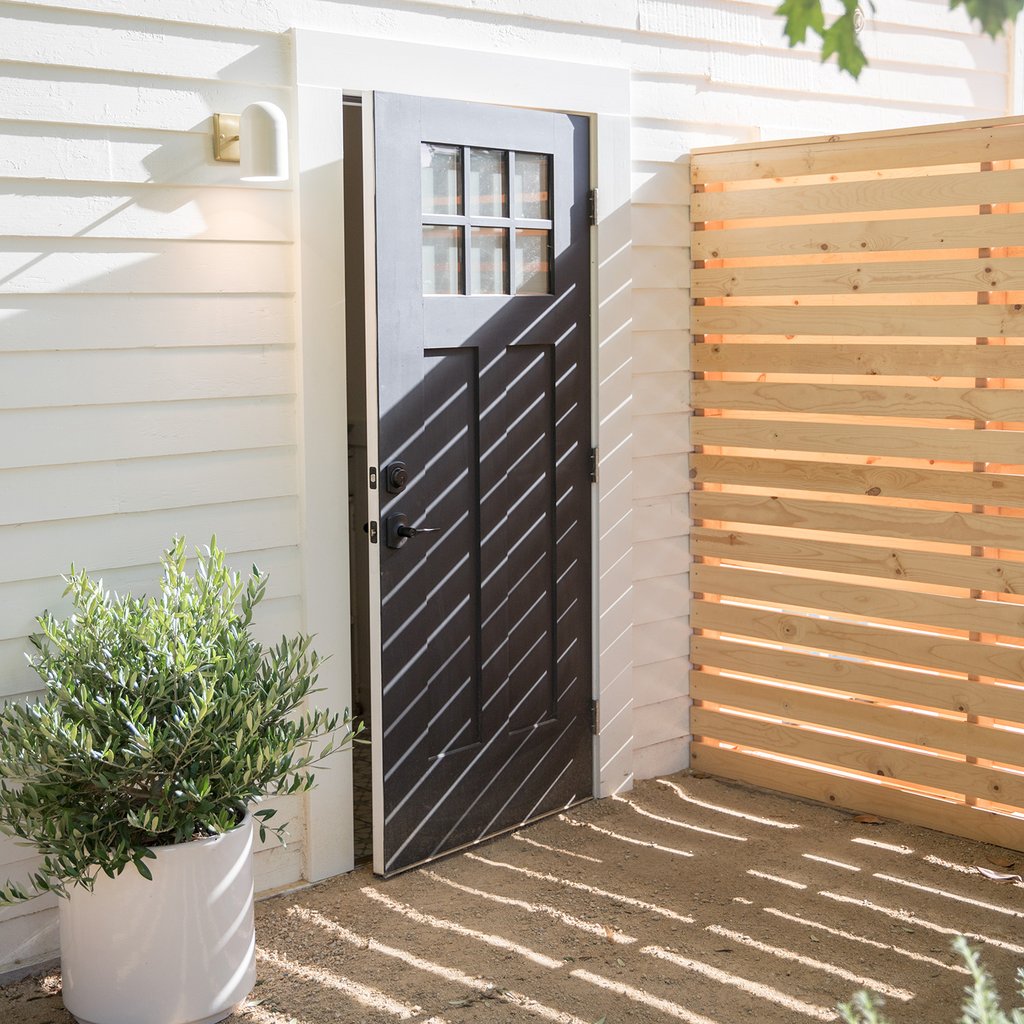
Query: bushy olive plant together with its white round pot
[138,777]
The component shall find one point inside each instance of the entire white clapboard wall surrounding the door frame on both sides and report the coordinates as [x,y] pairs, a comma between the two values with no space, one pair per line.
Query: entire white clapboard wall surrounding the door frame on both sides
[148,343]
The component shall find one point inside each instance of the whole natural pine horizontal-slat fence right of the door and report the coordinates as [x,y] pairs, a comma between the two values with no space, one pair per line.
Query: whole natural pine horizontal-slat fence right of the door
[860,473]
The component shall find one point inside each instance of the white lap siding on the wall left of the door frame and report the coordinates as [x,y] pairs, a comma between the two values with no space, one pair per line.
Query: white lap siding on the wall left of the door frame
[147,340]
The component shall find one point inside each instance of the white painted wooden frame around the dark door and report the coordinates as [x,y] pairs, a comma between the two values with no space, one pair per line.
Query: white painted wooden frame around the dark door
[327,66]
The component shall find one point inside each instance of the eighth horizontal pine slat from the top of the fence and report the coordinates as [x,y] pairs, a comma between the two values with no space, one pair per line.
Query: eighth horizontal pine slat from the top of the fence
[936,444]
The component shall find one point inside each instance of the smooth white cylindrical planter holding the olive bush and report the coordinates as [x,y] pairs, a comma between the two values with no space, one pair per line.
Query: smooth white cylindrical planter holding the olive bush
[180,950]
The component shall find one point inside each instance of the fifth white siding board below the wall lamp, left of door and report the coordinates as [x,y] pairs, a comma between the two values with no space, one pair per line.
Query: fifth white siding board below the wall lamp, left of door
[57,437]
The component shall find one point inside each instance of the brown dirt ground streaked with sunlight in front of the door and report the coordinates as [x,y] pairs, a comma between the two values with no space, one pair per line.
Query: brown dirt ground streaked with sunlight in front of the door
[692,900]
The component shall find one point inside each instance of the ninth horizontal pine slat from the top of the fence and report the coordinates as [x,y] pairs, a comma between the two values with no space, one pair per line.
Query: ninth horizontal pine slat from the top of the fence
[924,485]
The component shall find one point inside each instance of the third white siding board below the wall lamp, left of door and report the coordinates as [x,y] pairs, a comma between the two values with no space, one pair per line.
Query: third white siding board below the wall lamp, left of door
[63,323]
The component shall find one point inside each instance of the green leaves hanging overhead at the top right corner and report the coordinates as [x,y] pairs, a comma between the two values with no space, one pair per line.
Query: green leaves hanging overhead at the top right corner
[842,38]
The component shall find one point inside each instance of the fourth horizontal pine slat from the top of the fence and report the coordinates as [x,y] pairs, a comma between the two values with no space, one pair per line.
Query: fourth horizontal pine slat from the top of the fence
[869,279]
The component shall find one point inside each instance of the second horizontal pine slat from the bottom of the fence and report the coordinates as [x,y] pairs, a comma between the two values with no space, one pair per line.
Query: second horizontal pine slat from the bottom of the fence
[953,776]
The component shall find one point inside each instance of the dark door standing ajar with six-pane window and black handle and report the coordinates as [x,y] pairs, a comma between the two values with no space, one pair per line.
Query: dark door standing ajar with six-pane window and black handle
[484,335]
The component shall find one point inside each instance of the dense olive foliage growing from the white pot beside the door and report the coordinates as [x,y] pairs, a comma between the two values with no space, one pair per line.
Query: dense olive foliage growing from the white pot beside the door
[162,720]
